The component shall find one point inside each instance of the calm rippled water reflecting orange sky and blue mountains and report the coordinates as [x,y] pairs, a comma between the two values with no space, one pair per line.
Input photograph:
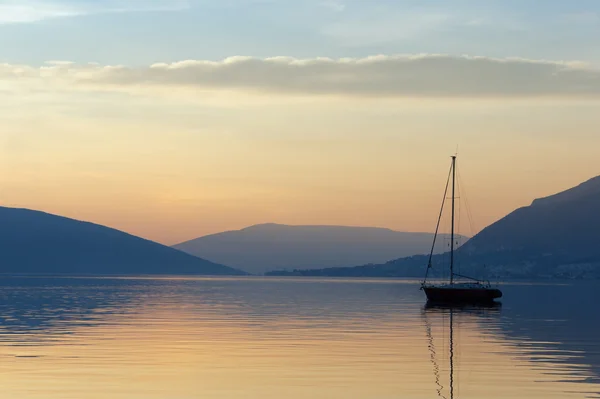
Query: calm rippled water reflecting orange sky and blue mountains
[274,338]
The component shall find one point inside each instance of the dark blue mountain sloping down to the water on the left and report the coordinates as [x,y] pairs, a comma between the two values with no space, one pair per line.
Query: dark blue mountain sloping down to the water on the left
[41,243]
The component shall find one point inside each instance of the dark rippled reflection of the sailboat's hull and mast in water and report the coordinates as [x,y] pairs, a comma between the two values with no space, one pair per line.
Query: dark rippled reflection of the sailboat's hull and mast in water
[448,311]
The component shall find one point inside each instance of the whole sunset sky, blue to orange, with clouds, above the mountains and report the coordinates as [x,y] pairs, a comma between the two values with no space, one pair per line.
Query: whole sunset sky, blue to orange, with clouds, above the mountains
[175,119]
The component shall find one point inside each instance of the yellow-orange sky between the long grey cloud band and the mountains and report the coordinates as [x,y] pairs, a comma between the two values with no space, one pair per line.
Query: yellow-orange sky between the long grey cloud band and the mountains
[169,167]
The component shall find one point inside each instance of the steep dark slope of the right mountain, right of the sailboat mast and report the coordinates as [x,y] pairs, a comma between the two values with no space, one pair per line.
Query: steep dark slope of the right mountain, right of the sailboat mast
[557,235]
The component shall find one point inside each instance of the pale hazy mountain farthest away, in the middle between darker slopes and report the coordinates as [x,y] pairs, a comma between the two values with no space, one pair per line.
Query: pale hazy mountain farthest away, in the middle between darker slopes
[265,247]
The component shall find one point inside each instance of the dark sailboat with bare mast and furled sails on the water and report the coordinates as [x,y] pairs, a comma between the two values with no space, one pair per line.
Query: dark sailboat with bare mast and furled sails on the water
[456,291]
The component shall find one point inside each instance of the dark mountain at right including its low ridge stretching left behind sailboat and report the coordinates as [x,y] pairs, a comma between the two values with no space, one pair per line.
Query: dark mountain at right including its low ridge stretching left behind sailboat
[555,237]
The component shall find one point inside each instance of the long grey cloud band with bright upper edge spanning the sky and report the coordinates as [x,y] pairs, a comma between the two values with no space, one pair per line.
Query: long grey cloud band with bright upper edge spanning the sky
[389,76]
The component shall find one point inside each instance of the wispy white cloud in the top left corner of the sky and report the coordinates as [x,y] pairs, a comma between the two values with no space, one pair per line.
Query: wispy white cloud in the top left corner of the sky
[23,11]
